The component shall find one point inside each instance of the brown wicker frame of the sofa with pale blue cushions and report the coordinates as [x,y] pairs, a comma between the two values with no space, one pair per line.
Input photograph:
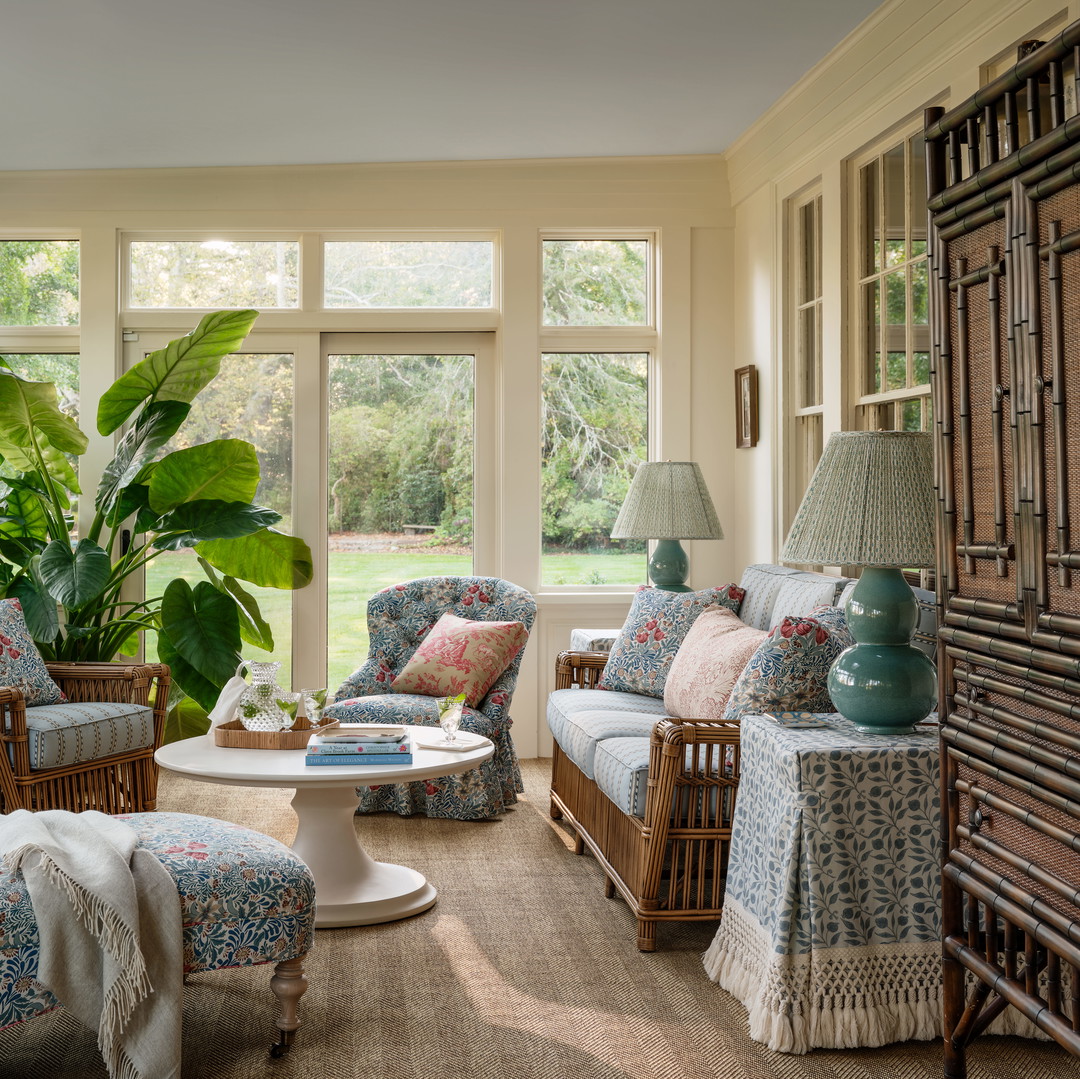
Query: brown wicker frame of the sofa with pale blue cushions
[671,865]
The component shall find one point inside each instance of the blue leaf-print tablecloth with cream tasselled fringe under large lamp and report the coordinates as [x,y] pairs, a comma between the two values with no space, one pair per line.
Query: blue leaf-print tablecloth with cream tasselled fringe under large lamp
[831,934]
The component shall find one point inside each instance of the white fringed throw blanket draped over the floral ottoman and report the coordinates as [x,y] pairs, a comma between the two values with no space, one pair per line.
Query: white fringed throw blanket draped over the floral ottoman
[112,941]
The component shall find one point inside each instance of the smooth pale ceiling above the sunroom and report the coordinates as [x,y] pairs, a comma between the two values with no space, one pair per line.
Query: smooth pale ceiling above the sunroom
[150,84]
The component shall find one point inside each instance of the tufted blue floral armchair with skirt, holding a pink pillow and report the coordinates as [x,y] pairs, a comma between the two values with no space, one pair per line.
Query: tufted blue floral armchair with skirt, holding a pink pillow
[399,619]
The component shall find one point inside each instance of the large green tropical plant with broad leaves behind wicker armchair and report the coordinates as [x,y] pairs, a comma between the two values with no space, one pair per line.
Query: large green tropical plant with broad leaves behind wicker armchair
[76,590]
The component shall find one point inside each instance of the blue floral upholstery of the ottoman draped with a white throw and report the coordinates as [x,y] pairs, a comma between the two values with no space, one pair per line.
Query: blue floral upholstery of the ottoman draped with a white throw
[246,899]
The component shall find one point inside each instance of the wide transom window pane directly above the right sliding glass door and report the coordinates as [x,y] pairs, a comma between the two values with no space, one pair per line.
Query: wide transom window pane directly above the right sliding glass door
[409,274]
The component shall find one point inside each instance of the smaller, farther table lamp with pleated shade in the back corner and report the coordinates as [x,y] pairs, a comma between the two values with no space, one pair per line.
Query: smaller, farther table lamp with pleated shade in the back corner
[668,502]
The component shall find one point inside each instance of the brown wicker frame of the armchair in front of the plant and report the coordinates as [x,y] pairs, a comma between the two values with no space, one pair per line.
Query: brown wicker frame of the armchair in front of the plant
[120,783]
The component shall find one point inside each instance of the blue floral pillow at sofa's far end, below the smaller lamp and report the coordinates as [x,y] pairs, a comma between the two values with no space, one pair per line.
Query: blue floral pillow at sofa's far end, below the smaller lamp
[655,628]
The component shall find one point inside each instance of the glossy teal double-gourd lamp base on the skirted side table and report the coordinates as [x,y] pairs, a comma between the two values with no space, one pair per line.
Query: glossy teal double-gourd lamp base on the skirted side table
[883,685]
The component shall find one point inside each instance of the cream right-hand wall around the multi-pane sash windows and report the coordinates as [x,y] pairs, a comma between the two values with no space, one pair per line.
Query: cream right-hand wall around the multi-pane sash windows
[909,56]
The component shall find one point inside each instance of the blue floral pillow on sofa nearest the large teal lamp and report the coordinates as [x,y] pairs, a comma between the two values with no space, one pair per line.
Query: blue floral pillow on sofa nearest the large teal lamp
[790,670]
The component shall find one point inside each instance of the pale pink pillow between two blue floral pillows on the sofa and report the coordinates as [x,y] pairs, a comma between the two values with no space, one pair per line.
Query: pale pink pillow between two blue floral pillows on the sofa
[711,658]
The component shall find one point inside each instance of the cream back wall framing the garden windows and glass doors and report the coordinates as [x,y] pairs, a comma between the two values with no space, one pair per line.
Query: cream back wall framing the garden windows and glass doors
[683,199]
